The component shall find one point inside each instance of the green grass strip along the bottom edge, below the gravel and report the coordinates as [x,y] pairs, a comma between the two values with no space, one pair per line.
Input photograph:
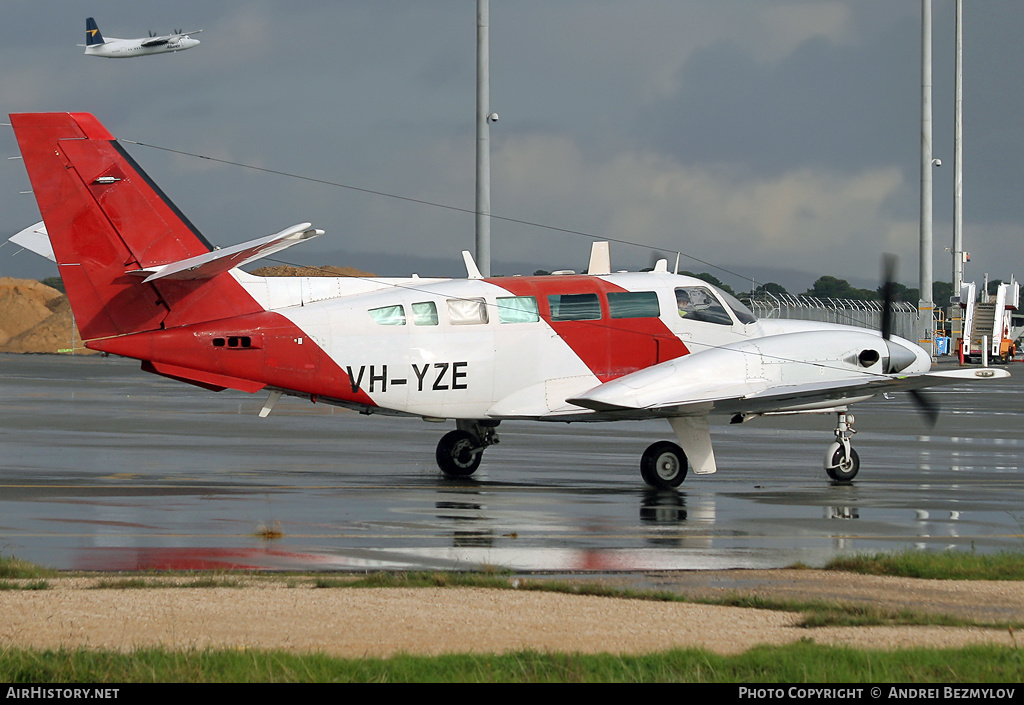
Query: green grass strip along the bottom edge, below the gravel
[802,662]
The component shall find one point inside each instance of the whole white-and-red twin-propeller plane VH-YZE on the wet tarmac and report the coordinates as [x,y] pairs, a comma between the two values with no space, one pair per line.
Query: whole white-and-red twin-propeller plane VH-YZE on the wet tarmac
[603,347]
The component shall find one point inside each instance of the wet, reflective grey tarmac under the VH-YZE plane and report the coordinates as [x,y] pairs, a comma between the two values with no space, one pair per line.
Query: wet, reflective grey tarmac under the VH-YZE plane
[106,468]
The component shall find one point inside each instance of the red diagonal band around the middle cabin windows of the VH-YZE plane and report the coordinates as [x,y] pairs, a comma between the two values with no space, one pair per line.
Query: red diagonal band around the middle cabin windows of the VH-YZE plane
[610,348]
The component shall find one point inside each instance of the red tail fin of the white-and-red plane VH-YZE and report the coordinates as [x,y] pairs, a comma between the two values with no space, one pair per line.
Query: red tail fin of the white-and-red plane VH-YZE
[107,220]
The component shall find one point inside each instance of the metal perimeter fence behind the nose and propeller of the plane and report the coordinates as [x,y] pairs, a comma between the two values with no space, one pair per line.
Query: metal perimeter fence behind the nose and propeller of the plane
[847,312]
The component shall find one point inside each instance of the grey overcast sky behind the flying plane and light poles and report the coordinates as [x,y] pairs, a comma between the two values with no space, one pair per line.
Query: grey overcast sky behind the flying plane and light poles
[775,139]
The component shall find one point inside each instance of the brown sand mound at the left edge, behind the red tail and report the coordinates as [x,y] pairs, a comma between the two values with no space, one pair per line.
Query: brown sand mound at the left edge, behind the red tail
[35,318]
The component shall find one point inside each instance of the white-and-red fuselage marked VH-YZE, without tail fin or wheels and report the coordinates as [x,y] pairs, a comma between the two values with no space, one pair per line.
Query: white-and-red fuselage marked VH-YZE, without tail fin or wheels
[496,349]
